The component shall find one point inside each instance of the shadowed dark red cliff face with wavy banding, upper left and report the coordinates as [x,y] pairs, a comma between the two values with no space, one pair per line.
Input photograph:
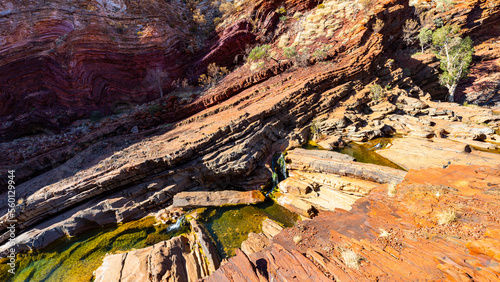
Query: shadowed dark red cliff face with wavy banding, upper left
[60,62]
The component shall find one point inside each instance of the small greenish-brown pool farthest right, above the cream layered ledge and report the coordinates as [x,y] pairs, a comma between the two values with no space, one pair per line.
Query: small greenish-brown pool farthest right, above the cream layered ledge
[364,153]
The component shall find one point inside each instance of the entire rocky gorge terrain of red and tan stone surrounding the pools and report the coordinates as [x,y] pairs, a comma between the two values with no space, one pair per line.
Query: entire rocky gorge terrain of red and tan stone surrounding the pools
[77,170]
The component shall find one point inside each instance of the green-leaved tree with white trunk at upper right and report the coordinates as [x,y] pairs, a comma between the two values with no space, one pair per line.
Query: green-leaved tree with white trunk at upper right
[455,54]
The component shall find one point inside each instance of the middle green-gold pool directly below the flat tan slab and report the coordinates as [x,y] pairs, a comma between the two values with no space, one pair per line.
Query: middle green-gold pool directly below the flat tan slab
[229,226]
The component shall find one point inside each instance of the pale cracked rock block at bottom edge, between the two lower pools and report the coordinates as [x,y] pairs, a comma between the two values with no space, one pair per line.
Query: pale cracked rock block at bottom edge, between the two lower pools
[182,258]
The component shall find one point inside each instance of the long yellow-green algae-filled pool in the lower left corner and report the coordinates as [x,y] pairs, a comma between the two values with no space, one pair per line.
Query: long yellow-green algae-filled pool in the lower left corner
[75,259]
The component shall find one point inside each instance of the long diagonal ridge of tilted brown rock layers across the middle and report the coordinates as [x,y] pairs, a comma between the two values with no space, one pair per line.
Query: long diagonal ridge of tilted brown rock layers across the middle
[121,178]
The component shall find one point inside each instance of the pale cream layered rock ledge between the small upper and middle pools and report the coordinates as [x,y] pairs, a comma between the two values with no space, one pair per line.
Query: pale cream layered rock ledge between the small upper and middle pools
[325,180]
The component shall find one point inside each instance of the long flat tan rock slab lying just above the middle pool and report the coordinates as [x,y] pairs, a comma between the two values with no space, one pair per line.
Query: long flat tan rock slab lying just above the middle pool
[218,198]
